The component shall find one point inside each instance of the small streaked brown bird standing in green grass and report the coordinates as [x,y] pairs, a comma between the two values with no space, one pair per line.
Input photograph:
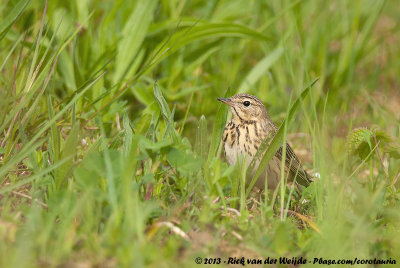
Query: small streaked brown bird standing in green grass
[249,126]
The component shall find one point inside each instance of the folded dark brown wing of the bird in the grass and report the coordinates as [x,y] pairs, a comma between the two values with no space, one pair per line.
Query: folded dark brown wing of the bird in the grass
[294,165]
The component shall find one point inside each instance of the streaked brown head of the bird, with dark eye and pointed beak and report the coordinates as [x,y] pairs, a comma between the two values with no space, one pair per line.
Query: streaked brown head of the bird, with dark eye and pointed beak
[245,107]
